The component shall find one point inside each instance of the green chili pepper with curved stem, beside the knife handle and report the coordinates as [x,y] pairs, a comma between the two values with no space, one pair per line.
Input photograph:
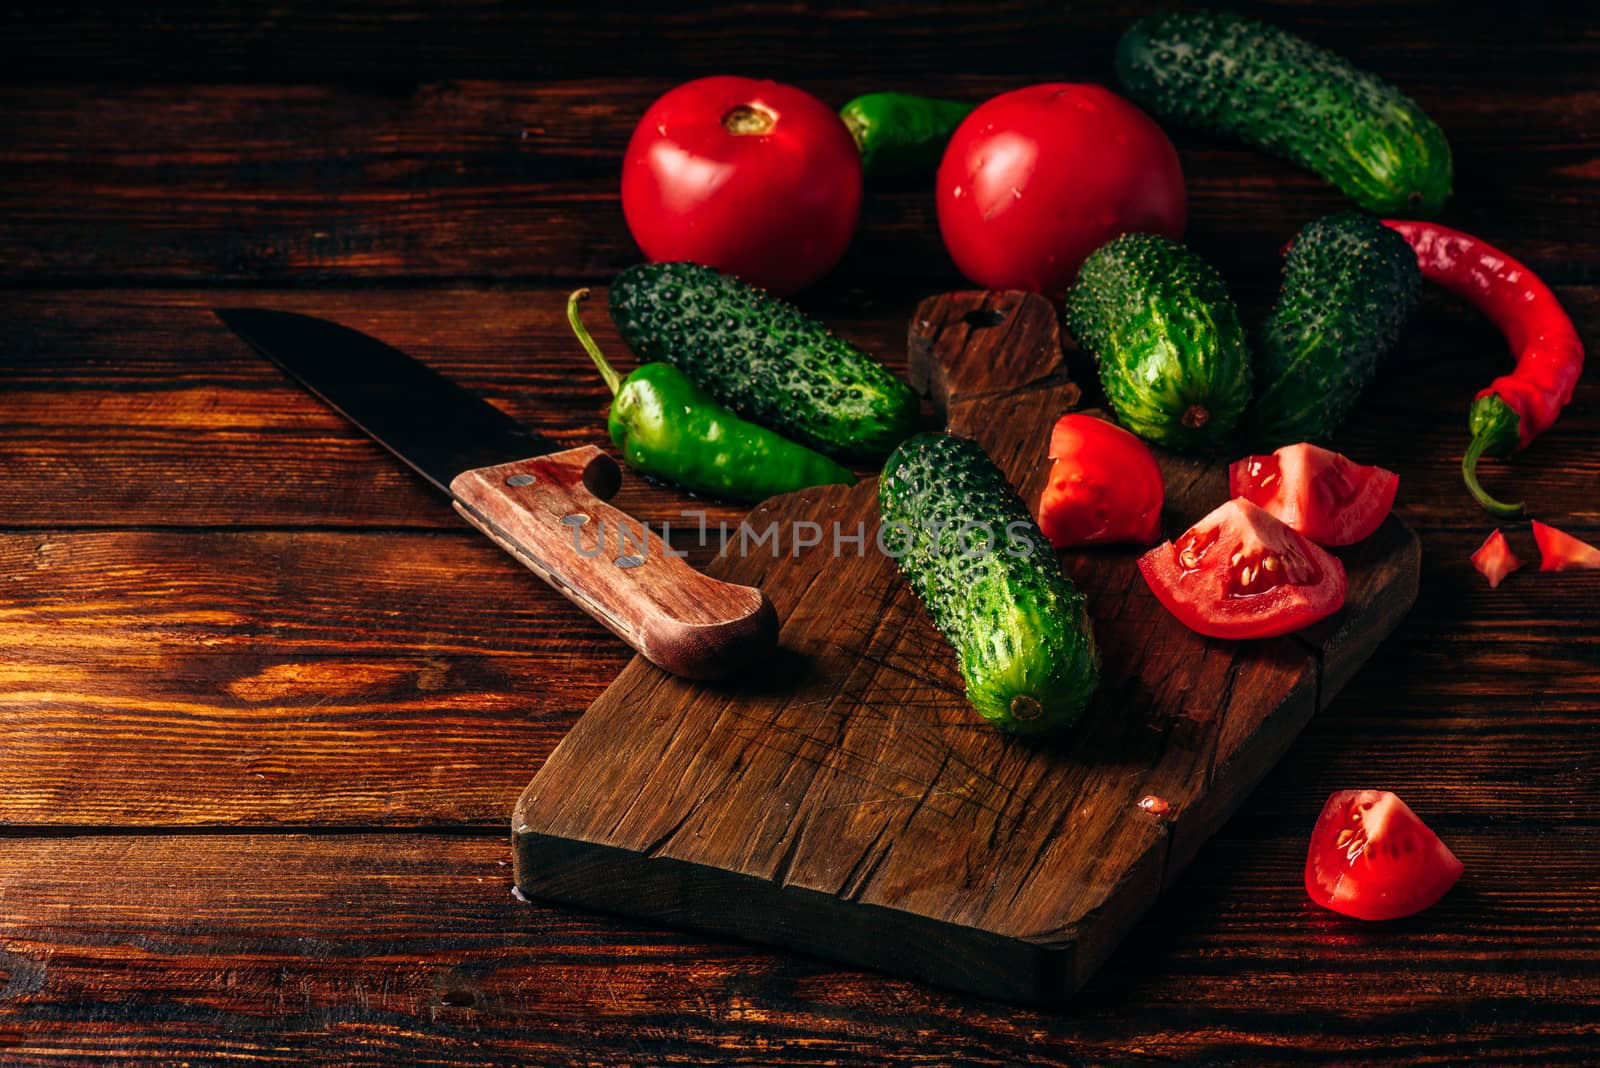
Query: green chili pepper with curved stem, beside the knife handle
[673,429]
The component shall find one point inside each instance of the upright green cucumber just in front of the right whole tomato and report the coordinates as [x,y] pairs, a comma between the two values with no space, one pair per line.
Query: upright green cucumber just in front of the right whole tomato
[1167,337]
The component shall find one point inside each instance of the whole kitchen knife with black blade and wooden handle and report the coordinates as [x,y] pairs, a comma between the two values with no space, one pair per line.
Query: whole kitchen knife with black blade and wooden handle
[545,508]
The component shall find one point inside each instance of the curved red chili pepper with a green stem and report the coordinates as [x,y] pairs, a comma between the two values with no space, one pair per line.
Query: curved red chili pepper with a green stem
[1522,405]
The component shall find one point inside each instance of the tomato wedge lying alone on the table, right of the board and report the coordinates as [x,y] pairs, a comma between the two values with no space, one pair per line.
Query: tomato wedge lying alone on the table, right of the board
[1374,859]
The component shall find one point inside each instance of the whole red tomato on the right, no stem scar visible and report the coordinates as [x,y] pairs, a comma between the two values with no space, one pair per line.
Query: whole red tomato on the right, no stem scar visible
[1039,178]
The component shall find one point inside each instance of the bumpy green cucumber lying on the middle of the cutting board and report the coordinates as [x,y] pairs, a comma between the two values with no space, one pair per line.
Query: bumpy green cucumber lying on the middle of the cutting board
[1020,629]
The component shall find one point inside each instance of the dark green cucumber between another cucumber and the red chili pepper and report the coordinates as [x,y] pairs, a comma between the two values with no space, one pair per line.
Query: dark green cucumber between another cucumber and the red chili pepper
[1350,287]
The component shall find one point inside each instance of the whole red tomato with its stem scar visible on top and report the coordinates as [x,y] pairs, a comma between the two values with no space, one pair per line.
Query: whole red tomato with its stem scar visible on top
[754,178]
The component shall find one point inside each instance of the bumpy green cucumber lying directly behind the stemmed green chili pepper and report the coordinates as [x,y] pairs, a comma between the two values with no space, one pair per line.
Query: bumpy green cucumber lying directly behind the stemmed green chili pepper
[764,357]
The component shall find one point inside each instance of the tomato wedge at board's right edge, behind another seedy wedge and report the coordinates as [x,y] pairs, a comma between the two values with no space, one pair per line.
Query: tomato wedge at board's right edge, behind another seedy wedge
[1324,495]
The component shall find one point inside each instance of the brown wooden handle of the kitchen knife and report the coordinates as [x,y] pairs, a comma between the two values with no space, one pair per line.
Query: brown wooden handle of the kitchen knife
[548,512]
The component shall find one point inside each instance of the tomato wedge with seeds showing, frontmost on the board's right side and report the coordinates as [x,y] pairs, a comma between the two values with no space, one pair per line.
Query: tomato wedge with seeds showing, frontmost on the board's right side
[1239,573]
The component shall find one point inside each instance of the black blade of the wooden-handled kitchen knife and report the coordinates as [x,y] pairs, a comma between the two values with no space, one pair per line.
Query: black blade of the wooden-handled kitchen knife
[438,428]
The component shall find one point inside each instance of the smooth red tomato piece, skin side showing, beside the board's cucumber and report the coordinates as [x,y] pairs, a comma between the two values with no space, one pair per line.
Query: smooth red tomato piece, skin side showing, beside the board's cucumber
[1105,487]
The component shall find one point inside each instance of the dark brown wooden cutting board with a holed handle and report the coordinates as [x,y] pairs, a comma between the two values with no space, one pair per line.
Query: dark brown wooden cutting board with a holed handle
[846,802]
